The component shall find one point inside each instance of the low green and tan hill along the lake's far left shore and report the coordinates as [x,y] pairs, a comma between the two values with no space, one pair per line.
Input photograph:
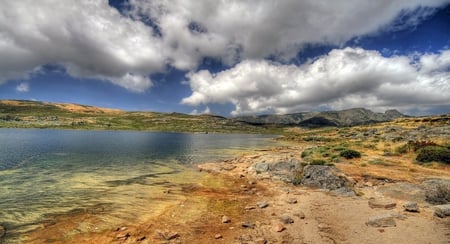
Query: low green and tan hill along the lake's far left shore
[34,114]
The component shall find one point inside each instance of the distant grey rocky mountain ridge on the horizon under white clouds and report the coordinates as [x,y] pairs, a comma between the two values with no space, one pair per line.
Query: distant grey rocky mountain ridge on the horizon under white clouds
[348,117]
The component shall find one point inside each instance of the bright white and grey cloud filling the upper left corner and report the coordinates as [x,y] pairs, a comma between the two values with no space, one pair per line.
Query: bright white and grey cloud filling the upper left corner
[89,38]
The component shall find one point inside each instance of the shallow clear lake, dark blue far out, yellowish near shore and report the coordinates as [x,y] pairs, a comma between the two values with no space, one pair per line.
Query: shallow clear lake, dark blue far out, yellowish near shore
[123,174]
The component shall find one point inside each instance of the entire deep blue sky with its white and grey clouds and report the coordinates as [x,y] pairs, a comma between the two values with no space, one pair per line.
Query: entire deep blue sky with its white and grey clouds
[229,58]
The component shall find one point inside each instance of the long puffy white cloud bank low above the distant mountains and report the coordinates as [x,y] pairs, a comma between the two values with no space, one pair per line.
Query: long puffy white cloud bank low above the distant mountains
[344,78]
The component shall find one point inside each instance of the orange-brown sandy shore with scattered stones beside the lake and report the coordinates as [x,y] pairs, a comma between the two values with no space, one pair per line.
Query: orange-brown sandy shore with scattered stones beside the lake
[236,204]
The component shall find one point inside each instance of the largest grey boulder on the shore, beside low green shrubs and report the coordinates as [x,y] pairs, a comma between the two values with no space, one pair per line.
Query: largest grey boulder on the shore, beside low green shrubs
[325,177]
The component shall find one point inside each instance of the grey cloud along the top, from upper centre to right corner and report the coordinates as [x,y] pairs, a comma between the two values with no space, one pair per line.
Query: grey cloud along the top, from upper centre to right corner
[235,30]
